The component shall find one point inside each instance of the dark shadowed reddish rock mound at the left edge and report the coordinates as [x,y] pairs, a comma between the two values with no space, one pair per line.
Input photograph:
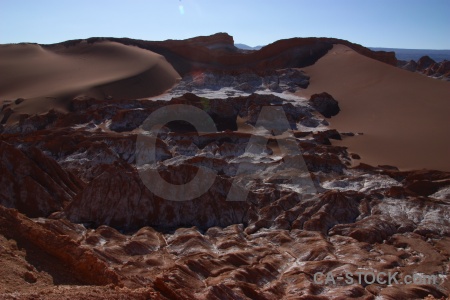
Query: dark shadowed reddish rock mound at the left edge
[33,183]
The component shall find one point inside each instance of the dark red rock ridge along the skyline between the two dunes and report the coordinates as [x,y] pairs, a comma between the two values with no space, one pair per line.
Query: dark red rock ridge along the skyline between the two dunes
[217,53]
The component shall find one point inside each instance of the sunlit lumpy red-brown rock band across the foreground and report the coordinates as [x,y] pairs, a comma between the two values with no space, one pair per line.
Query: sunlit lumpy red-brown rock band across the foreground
[232,263]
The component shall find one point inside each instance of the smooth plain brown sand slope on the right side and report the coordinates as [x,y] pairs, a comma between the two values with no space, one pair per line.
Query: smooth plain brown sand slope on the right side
[404,116]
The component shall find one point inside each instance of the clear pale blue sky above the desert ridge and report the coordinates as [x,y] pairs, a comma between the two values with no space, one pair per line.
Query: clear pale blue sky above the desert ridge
[385,23]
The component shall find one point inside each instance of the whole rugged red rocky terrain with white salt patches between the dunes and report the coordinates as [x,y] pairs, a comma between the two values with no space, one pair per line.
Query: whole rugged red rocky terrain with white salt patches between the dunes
[78,219]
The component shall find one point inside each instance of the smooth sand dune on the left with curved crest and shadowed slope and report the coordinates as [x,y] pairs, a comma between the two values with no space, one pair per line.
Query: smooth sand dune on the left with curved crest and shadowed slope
[50,76]
